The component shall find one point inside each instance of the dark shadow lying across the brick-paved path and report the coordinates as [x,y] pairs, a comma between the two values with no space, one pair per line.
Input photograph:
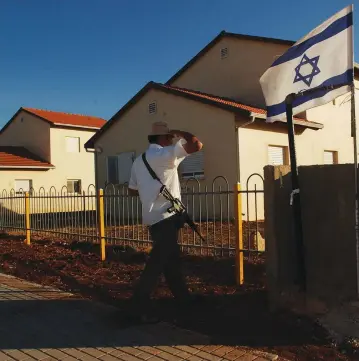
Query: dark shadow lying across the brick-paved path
[42,324]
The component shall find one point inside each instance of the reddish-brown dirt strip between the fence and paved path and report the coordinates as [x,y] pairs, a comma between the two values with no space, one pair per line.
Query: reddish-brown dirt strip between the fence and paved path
[231,315]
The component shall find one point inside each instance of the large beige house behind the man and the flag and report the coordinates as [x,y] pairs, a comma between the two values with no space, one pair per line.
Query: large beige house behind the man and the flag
[217,96]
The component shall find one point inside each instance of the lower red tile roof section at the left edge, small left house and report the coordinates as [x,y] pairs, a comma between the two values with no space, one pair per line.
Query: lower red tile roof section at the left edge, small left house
[20,157]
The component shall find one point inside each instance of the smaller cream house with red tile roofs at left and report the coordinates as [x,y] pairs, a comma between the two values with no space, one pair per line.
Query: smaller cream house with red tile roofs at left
[40,149]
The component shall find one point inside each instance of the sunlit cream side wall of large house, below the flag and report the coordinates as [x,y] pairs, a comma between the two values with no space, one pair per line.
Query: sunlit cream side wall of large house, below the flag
[310,144]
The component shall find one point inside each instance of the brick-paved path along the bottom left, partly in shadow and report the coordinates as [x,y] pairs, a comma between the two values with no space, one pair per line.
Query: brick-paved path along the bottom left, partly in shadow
[40,323]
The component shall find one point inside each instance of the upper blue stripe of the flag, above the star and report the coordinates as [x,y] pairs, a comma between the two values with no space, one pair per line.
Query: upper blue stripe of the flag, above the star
[336,27]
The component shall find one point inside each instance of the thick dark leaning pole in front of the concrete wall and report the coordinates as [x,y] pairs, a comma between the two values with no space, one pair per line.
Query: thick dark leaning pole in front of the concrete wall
[295,196]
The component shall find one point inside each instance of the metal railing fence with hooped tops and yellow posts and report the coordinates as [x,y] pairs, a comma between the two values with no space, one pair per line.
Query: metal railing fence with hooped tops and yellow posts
[229,218]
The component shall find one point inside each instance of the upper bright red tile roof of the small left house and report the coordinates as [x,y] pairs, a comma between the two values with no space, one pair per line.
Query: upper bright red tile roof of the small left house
[60,118]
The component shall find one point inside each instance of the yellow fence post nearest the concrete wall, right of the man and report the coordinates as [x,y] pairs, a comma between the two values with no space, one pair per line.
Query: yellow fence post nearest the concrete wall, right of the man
[239,234]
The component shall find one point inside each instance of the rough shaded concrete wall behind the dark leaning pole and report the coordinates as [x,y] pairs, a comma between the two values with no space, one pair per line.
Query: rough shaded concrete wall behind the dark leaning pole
[328,214]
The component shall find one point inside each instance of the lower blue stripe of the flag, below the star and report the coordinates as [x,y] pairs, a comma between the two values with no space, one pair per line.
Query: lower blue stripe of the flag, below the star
[345,78]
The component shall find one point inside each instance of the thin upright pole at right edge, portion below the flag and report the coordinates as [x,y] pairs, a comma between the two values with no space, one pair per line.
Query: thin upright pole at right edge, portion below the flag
[355,147]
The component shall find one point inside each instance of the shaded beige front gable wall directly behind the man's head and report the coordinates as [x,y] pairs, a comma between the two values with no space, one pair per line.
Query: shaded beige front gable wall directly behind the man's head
[130,133]
